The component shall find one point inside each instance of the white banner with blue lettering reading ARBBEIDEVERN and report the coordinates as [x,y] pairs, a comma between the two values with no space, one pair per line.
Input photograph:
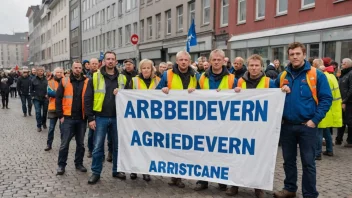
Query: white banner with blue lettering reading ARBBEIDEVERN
[223,137]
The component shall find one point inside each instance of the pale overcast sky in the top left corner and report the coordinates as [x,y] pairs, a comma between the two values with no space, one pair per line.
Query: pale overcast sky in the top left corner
[13,15]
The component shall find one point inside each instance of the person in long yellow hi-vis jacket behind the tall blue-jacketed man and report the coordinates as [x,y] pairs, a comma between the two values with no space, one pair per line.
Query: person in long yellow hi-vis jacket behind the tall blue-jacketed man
[333,117]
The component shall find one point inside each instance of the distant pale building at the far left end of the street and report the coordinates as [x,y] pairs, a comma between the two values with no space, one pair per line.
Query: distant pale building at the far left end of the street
[13,50]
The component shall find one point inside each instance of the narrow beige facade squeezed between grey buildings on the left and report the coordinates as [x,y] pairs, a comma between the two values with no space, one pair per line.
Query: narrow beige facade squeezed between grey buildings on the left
[75,30]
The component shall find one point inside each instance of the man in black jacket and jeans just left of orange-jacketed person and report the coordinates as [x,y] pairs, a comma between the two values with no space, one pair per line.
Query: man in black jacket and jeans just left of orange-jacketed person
[39,96]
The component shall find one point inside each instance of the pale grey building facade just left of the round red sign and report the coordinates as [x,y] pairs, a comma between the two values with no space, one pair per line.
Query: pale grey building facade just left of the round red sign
[107,26]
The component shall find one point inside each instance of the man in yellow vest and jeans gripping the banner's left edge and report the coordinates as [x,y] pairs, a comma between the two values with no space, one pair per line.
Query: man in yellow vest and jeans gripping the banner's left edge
[101,112]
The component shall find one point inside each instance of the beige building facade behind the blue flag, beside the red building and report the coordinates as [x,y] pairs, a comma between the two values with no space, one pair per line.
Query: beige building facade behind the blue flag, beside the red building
[164,27]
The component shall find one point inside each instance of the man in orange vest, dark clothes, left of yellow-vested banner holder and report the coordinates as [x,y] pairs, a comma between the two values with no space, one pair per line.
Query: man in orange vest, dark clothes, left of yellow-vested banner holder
[70,110]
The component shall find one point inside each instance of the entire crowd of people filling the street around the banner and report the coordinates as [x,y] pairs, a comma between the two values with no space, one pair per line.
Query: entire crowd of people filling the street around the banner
[318,98]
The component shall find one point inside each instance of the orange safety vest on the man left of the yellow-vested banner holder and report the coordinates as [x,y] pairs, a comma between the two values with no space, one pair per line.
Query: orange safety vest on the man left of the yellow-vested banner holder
[68,96]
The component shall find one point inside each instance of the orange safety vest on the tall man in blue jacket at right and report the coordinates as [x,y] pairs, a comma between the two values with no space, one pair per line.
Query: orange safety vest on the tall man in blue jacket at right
[311,80]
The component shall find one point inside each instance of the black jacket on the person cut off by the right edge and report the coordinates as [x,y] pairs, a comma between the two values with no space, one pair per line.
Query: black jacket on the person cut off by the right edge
[345,84]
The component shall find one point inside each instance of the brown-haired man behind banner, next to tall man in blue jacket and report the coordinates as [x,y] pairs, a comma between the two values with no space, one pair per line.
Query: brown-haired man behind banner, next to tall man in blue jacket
[254,78]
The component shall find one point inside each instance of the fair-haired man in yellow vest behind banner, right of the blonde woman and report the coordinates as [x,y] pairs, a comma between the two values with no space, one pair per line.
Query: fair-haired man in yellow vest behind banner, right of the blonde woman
[182,77]
